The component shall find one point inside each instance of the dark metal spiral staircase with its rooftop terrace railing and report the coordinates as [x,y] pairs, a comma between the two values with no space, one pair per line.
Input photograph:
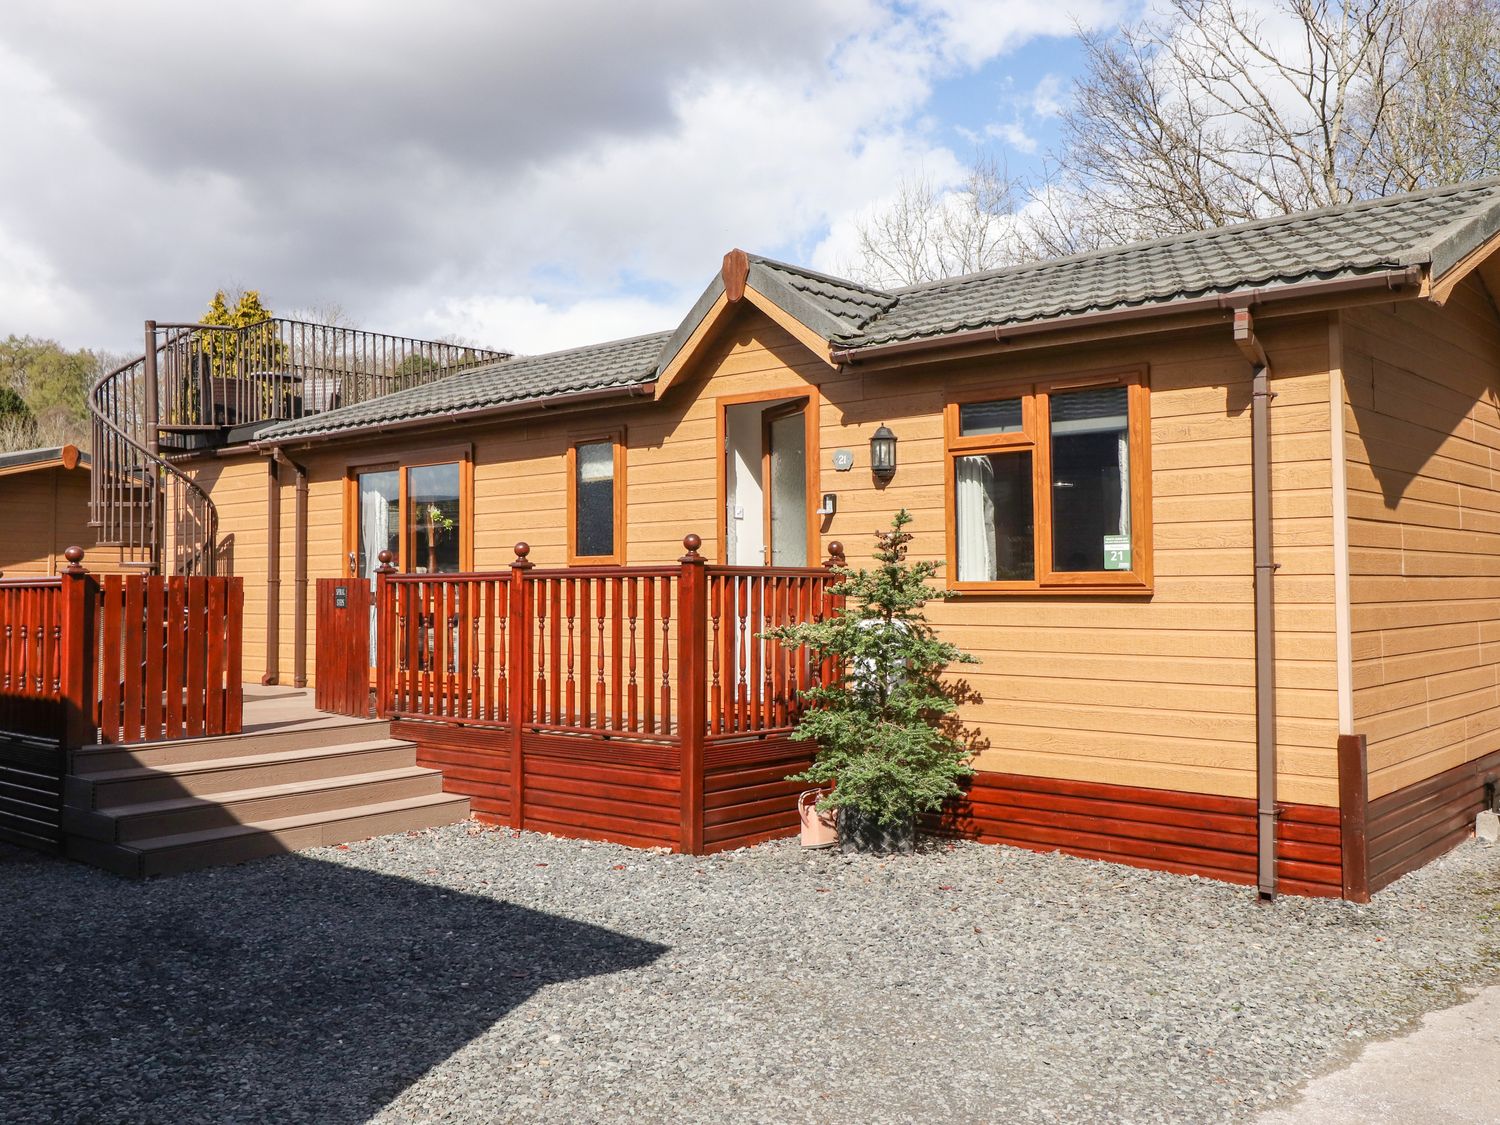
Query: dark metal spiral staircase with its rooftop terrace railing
[202,386]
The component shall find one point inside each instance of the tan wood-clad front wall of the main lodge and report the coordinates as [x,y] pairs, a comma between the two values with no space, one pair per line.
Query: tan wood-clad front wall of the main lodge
[1151,691]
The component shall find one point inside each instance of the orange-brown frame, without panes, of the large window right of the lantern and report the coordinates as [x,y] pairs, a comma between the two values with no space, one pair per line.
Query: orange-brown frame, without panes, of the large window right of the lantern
[1036,437]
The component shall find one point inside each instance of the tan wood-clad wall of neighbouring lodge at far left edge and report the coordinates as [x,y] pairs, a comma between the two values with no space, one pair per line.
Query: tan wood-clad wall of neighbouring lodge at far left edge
[46,511]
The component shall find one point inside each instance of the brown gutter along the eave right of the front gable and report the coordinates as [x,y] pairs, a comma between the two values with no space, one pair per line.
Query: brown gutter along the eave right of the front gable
[1387,280]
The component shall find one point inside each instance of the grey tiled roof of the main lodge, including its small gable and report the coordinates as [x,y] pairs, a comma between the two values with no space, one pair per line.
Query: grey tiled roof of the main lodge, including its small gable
[1435,229]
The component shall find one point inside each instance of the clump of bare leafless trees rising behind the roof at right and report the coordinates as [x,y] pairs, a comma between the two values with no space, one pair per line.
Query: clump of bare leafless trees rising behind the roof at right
[1219,112]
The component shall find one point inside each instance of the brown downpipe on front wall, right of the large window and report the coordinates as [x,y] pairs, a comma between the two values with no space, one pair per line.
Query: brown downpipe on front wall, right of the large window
[1261,398]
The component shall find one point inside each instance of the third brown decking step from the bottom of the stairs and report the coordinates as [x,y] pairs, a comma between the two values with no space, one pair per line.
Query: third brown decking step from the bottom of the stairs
[137,785]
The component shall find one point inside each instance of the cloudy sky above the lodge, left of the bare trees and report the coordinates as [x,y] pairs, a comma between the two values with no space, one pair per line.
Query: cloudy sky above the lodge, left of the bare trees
[527,176]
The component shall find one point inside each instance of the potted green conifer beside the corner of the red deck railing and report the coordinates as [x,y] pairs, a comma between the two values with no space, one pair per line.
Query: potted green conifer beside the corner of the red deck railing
[886,722]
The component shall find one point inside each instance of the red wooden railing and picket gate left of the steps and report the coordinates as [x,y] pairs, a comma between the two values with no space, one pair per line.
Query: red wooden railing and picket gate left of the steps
[121,659]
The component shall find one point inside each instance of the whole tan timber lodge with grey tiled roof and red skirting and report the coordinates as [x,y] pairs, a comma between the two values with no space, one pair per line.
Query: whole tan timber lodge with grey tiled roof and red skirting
[1222,509]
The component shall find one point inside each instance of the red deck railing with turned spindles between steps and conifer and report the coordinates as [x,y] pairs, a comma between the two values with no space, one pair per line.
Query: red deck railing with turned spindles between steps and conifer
[622,653]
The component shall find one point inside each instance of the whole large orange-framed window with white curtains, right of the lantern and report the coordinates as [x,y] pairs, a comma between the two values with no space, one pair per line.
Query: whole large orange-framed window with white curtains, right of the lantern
[1049,487]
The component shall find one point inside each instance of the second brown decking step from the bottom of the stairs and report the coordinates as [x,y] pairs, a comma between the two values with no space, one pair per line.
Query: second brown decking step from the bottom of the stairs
[146,820]
